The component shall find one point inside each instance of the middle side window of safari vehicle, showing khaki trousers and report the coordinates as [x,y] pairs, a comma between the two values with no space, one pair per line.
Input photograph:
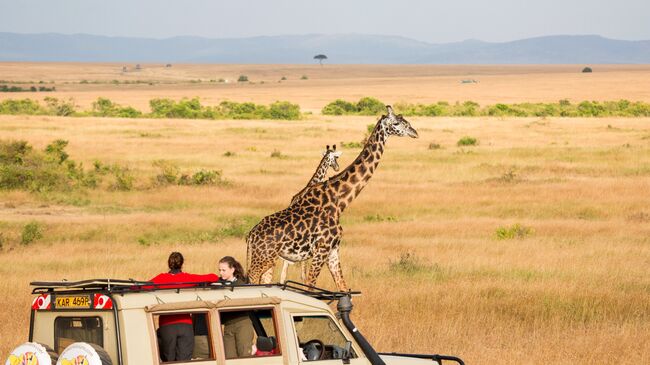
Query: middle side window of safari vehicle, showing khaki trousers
[249,333]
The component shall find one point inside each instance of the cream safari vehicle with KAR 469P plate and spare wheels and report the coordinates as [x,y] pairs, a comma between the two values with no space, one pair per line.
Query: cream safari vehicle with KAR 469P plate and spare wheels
[107,321]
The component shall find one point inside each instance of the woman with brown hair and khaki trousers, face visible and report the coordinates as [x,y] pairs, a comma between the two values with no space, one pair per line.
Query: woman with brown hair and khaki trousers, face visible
[238,331]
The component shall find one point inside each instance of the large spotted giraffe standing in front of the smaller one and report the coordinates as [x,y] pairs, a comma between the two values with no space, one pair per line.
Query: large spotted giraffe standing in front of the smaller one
[310,227]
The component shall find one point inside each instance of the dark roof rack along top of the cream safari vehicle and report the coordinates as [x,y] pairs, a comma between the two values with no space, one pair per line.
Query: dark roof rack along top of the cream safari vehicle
[120,286]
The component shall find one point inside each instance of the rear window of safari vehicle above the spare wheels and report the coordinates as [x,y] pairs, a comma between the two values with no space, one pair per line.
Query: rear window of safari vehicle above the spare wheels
[68,330]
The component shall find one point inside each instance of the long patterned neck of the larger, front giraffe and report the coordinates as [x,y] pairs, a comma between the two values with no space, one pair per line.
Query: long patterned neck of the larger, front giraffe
[349,182]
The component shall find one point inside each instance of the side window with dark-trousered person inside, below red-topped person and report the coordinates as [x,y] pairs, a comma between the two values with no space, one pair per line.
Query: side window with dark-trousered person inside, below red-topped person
[184,337]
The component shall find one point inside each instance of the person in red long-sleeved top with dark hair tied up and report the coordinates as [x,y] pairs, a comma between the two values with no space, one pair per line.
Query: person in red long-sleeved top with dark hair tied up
[175,332]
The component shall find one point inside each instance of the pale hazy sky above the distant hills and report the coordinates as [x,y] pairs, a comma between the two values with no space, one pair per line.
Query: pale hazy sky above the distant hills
[430,21]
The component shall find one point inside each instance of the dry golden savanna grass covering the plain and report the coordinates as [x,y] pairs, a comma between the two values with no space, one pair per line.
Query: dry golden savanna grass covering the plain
[531,247]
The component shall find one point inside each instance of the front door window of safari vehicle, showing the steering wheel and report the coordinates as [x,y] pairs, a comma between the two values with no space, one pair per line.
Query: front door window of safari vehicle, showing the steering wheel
[319,338]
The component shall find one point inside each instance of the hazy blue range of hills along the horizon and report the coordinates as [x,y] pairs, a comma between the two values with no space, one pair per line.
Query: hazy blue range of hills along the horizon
[345,48]
